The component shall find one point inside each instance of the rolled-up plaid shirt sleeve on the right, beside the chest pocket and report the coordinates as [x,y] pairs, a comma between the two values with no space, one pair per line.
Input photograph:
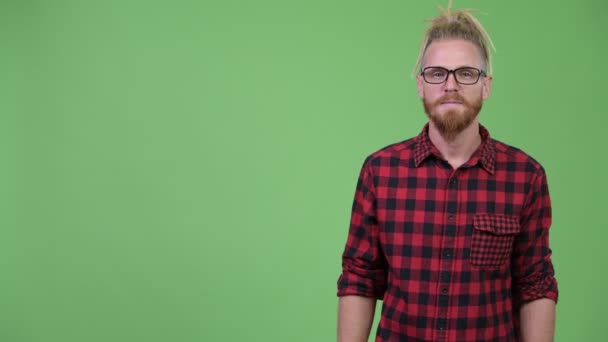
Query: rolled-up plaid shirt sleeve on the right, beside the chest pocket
[533,274]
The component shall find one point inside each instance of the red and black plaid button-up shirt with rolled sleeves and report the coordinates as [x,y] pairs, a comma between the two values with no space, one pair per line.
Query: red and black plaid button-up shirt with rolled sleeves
[452,253]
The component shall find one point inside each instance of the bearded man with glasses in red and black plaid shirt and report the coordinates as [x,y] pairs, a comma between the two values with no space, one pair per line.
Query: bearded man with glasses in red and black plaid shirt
[450,228]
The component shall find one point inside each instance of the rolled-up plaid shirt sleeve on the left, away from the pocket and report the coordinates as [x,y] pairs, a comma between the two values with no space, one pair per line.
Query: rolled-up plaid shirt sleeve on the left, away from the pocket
[364,266]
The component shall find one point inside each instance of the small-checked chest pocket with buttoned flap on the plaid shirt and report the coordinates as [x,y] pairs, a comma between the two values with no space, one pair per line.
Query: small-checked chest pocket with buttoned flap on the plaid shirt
[492,241]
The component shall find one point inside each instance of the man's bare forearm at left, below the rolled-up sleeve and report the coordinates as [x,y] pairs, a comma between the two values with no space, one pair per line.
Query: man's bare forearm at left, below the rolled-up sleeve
[355,317]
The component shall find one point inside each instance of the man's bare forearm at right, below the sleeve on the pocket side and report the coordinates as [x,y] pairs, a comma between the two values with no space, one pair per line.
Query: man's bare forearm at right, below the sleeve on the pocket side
[537,321]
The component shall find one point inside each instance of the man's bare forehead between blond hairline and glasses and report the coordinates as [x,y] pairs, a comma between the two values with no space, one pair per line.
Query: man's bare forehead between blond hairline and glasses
[452,53]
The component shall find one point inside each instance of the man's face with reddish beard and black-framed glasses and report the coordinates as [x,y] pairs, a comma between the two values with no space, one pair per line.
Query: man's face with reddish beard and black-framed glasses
[450,106]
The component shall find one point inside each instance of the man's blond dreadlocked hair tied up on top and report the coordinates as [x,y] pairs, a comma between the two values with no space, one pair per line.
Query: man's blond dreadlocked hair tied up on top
[460,24]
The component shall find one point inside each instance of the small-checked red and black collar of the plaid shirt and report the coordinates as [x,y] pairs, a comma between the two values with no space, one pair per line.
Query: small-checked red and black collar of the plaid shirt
[485,154]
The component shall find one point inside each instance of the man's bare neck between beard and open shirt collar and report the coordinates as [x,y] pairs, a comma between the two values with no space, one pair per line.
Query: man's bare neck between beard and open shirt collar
[460,149]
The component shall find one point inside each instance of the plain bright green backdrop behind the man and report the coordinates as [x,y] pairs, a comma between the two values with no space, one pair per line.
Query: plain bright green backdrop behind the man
[184,170]
